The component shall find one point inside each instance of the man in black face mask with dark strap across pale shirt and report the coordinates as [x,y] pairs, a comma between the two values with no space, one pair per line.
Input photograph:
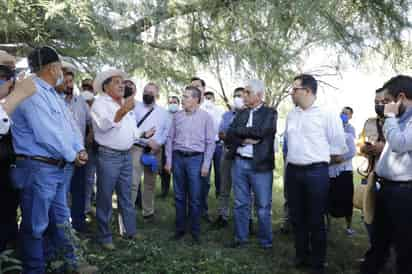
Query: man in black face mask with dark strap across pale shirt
[149,115]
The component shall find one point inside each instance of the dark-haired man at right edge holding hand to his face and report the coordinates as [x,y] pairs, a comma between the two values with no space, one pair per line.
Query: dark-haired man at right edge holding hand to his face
[392,222]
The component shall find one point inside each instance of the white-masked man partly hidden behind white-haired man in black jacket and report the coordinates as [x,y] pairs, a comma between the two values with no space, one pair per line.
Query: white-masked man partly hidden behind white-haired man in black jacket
[226,163]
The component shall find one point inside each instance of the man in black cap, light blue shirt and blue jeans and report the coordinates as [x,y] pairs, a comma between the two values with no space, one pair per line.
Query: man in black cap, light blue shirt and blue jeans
[45,141]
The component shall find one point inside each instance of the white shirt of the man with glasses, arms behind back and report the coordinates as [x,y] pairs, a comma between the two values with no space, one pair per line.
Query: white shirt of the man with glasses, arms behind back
[313,135]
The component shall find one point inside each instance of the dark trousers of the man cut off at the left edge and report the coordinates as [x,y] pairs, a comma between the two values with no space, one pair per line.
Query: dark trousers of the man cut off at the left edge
[9,202]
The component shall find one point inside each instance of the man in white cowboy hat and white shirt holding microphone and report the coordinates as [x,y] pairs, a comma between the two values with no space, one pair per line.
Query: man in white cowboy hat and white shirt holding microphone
[115,131]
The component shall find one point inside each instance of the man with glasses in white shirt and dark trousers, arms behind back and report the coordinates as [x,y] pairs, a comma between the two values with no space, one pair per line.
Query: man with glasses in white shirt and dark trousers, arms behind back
[315,138]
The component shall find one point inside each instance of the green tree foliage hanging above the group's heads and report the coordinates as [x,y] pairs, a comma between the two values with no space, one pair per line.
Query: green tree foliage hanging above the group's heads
[167,41]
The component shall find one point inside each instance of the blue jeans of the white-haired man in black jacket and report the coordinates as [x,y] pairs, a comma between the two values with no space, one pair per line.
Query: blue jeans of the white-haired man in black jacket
[245,179]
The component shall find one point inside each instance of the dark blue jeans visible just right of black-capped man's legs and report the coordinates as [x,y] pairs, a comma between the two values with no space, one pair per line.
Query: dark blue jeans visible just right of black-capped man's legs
[77,190]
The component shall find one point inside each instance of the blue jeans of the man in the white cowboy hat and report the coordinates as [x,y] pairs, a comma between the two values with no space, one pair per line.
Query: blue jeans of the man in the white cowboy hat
[114,169]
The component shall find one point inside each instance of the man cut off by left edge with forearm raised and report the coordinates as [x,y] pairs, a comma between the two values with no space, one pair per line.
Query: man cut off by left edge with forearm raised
[12,93]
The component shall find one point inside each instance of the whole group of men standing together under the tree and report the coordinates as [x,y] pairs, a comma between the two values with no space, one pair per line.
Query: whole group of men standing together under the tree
[61,142]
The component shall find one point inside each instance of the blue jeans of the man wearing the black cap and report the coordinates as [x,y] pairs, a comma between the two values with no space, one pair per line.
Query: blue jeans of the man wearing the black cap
[44,206]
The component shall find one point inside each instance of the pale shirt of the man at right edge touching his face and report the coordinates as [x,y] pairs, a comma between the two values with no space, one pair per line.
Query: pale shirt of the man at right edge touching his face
[395,162]
